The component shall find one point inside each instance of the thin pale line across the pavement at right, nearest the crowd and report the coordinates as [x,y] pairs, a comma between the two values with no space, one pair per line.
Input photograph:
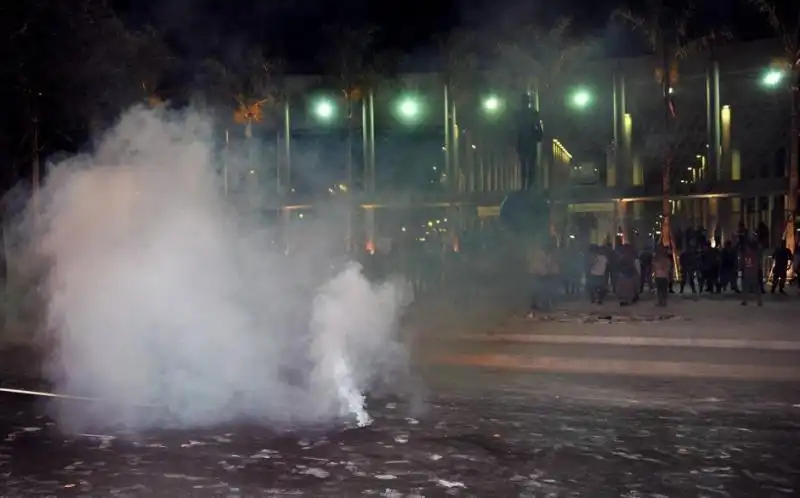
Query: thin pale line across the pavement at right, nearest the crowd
[674,342]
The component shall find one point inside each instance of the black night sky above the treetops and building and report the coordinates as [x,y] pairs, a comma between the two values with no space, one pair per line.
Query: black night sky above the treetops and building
[293,28]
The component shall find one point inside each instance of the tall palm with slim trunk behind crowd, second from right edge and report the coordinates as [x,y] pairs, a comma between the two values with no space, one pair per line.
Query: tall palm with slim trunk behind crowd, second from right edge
[670,38]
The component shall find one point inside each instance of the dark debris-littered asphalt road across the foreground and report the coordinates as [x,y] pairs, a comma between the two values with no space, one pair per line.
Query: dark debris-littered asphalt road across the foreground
[478,433]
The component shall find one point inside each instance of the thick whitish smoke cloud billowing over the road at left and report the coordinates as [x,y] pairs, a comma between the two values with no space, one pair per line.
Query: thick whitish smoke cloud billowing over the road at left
[160,293]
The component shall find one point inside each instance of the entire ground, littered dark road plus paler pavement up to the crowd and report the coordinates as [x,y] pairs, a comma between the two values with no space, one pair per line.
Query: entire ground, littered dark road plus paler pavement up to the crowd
[497,428]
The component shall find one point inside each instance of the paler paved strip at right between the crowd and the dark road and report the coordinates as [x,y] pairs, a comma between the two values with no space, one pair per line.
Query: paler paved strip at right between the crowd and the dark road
[706,338]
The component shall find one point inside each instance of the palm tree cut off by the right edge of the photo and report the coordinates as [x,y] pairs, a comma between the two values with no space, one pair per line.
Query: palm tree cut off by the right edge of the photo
[784,18]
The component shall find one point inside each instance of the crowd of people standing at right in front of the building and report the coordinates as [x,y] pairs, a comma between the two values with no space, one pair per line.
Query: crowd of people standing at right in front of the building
[744,266]
